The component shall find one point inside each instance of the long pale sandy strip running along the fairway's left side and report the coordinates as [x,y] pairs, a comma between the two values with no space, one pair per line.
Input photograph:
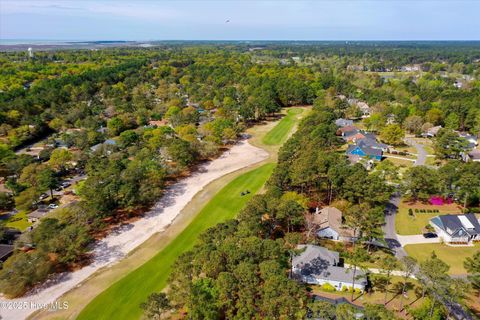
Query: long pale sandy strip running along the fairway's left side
[126,238]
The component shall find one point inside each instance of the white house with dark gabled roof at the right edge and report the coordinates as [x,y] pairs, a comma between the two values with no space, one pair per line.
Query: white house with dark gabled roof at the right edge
[457,229]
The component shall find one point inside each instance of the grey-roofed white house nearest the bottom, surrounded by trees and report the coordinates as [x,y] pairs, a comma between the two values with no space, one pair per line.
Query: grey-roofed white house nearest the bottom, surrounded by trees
[318,265]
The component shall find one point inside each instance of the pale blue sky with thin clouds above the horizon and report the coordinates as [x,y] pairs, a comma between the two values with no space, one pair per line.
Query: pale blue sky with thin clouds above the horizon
[249,20]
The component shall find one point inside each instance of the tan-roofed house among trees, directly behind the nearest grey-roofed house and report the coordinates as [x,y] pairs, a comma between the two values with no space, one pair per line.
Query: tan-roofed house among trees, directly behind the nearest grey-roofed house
[330,225]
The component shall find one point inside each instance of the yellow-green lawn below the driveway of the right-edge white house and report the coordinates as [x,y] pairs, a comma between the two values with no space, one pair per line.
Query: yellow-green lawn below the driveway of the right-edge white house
[453,256]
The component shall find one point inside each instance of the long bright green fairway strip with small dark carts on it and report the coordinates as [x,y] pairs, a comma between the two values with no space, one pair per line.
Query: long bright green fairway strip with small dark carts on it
[122,299]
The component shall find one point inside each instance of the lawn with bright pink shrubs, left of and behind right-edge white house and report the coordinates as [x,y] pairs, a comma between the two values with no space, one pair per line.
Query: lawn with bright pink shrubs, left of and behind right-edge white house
[408,225]
